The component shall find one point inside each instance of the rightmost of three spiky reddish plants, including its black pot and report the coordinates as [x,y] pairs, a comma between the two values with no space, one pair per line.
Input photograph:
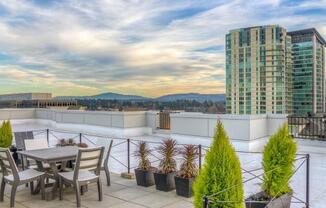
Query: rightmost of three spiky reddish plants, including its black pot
[188,171]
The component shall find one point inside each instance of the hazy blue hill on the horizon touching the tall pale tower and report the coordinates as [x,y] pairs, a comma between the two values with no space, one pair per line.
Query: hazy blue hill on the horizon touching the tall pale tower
[192,96]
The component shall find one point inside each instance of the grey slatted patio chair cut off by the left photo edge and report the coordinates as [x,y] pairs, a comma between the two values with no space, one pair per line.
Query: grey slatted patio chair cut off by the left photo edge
[12,176]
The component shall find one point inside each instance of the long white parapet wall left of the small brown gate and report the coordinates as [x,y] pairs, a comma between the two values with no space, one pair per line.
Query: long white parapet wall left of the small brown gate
[119,124]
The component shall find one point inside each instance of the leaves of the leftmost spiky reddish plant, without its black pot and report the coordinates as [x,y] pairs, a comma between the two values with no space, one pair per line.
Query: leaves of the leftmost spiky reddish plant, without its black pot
[142,154]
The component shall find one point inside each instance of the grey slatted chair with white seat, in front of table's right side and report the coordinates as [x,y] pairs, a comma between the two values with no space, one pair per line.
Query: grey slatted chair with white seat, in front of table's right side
[87,170]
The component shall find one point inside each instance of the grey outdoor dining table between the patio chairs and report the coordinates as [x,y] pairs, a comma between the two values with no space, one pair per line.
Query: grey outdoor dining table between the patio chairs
[52,156]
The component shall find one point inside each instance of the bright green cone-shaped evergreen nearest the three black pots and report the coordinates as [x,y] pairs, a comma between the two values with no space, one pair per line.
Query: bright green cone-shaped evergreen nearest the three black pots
[221,175]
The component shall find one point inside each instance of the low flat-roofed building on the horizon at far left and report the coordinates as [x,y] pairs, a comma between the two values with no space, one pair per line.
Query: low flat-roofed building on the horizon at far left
[35,100]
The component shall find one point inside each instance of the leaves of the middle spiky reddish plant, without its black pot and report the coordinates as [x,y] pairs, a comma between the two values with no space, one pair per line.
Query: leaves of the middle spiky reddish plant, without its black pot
[168,151]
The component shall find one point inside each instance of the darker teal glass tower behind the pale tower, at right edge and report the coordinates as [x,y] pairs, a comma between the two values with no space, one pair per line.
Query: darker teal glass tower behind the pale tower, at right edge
[308,71]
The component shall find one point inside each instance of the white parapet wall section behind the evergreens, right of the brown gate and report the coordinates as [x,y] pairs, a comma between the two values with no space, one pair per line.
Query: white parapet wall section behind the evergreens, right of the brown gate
[247,132]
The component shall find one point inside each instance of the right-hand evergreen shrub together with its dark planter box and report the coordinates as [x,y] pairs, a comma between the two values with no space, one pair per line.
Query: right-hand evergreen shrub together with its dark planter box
[278,164]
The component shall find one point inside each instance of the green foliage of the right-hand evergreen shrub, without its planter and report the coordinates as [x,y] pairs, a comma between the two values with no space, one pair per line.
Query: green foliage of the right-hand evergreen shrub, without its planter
[278,163]
